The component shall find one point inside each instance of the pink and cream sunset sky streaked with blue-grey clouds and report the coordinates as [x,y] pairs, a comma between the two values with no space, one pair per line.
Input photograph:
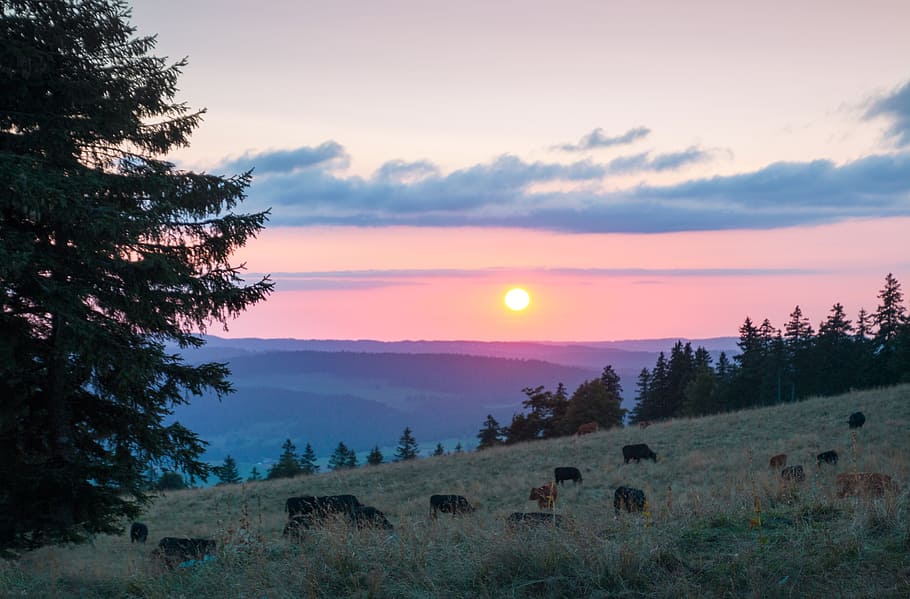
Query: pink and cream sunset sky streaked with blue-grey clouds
[645,169]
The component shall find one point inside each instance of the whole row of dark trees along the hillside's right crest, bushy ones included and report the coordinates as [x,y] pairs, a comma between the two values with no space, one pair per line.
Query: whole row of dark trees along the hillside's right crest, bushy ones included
[774,366]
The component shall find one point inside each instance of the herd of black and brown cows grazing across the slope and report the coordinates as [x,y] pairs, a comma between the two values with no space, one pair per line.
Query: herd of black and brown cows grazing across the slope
[309,511]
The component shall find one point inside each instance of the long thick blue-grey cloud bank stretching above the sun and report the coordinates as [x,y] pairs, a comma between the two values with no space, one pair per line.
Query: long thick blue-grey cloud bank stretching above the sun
[511,192]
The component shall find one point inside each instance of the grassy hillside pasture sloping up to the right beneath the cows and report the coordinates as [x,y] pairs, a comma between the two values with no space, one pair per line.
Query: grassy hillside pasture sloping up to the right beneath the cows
[695,541]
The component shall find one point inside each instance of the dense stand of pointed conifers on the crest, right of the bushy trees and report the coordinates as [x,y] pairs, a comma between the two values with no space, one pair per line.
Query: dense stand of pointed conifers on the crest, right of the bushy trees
[779,365]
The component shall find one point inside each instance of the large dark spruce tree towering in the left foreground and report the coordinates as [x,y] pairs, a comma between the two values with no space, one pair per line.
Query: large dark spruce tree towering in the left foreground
[108,253]
